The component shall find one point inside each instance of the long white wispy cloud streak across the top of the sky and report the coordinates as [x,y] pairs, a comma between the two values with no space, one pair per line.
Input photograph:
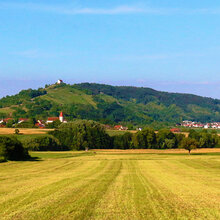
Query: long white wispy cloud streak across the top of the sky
[124,9]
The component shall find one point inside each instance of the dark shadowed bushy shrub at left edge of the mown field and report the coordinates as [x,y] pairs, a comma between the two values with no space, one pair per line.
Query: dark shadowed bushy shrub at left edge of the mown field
[12,149]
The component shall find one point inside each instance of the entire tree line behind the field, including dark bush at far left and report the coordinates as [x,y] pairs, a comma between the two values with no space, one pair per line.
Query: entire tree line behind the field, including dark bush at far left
[83,134]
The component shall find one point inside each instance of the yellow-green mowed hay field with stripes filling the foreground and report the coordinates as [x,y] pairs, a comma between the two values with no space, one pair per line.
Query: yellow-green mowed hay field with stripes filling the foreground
[112,185]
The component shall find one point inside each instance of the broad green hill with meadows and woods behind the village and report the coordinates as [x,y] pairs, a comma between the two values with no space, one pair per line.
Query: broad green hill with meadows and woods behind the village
[110,104]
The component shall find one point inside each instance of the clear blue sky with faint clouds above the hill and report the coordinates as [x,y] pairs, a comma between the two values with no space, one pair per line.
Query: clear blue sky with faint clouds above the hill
[164,44]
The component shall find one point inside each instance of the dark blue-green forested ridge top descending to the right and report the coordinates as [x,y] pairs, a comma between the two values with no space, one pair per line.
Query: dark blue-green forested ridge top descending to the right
[146,95]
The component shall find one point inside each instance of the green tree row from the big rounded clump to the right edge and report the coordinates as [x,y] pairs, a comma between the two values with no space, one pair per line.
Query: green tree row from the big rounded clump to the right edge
[83,134]
